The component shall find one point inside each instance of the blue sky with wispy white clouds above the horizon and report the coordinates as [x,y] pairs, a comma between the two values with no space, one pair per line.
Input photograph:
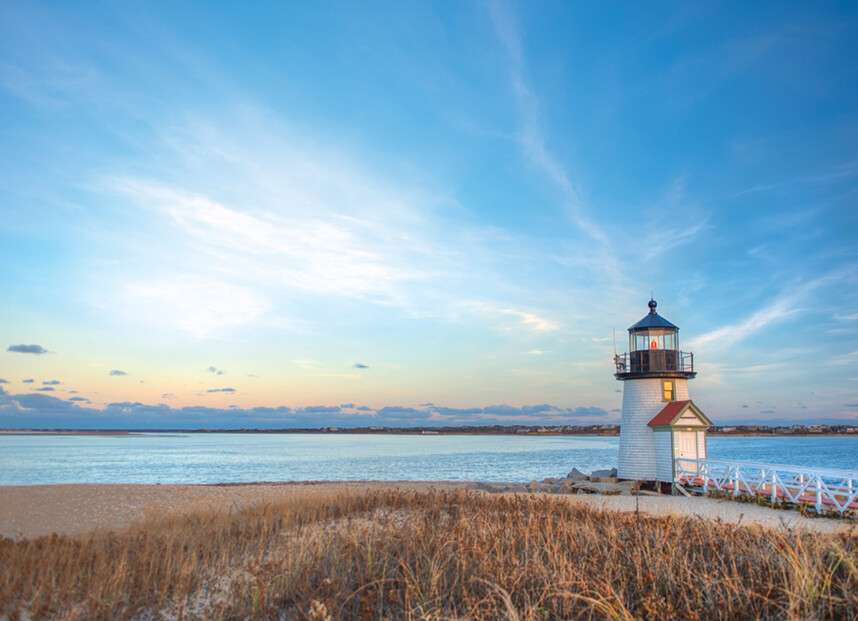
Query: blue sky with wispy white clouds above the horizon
[224,215]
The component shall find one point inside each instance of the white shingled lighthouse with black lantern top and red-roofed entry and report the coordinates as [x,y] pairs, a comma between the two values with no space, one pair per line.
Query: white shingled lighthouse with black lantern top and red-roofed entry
[659,421]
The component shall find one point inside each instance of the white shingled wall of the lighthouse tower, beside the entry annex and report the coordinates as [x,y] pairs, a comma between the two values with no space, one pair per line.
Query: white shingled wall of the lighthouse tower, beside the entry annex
[642,400]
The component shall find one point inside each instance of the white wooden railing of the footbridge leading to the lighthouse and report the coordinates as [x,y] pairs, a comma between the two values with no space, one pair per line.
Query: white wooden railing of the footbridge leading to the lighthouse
[821,487]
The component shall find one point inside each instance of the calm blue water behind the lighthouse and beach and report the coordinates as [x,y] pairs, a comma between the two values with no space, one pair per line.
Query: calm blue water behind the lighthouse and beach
[213,458]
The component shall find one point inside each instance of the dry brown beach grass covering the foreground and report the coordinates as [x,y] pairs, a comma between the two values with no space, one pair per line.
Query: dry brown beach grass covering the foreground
[442,555]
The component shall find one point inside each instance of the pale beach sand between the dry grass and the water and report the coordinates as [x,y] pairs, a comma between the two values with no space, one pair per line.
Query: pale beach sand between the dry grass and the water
[32,511]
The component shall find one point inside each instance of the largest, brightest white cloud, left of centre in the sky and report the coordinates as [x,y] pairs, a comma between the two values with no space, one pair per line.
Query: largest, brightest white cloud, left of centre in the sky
[318,224]
